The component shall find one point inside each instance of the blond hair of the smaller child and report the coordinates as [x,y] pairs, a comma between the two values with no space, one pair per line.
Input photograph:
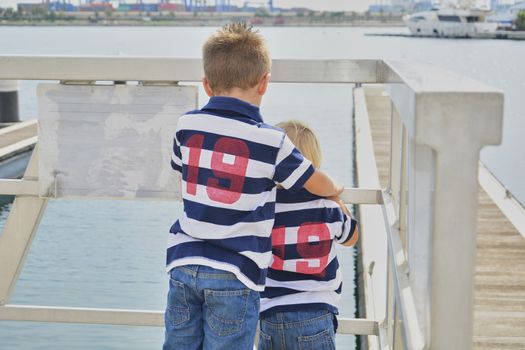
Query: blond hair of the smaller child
[304,139]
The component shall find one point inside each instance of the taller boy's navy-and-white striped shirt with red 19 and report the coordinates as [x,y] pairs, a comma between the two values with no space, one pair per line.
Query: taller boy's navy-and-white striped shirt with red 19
[231,162]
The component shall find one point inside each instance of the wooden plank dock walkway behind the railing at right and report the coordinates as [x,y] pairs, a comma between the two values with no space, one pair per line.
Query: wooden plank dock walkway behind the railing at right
[500,259]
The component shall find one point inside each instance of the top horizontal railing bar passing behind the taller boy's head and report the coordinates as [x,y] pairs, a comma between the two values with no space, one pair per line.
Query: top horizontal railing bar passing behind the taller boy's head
[418,77]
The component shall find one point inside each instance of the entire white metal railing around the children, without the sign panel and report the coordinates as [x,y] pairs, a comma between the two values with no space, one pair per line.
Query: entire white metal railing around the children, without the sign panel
[444,120]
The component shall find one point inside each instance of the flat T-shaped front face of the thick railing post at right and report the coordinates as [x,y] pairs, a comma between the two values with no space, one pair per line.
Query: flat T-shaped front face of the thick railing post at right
[456,126]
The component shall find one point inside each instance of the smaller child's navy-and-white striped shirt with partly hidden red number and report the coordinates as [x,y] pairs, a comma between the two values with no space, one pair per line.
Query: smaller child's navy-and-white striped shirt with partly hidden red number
[305,274]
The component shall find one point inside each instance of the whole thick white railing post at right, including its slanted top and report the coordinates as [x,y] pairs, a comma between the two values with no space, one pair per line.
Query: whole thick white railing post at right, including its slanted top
[449,120]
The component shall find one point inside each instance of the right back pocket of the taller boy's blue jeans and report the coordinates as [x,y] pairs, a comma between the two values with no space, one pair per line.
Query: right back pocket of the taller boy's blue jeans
[226,310]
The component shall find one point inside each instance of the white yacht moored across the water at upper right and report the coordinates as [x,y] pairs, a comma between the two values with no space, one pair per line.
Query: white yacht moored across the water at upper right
[455,23]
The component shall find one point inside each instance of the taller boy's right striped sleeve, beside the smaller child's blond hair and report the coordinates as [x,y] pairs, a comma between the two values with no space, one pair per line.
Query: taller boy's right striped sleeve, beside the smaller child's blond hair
[292,170]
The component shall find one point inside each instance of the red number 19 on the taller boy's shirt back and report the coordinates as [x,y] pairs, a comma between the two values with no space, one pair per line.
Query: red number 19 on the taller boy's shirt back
[234,171]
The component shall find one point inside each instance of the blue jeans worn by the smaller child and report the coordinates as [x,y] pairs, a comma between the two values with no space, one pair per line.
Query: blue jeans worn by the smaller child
[299,330]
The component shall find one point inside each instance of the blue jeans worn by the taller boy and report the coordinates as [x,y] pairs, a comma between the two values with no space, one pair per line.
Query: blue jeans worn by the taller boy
[209,309]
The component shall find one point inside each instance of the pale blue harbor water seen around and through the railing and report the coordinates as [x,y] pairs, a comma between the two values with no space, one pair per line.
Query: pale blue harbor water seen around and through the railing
[111,254]
